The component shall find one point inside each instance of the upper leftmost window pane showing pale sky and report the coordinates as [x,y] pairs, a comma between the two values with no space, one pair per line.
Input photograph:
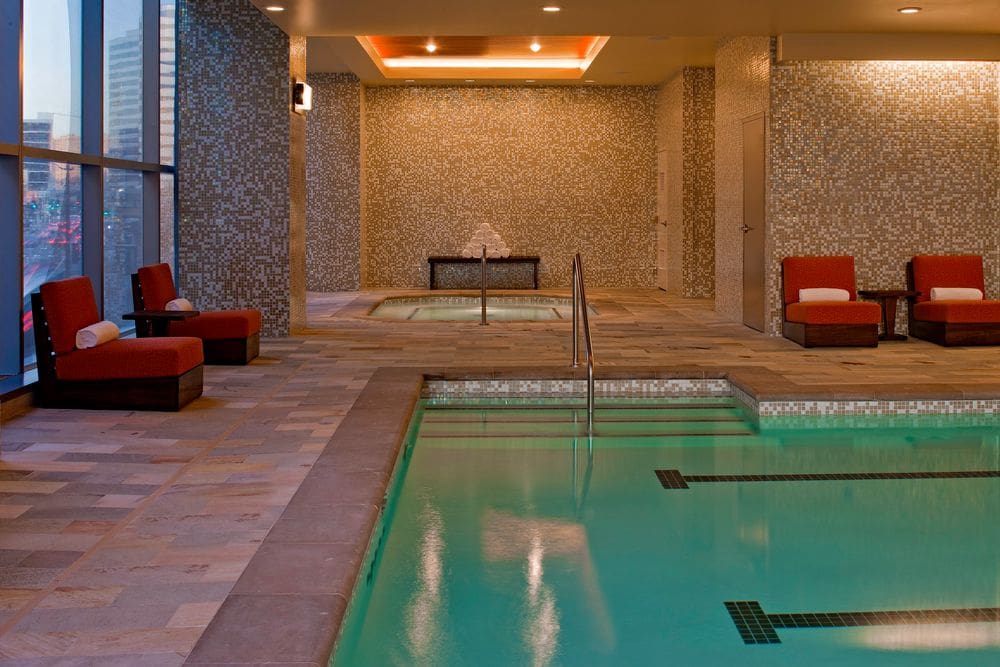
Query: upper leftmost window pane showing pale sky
[52,78]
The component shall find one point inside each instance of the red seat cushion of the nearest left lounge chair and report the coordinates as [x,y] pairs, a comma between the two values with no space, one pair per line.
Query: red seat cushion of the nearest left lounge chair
[131,358]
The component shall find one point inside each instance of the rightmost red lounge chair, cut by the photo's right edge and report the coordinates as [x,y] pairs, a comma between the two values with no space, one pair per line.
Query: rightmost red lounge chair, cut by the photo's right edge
[951,322]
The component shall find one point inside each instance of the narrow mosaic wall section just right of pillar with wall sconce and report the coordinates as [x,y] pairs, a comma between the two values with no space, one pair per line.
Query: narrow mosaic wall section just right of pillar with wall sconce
[333,156]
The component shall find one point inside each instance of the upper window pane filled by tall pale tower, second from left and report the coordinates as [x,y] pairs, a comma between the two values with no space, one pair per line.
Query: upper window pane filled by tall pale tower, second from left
[123,79]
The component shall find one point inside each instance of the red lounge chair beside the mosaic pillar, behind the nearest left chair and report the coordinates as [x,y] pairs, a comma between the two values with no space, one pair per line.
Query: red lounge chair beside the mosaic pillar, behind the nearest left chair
[230,336]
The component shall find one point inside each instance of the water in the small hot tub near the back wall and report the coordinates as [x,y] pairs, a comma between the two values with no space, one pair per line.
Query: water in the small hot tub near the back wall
[467,308]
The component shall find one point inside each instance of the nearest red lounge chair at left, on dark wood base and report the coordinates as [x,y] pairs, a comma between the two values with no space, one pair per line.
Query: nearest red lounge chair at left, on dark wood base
[132,374]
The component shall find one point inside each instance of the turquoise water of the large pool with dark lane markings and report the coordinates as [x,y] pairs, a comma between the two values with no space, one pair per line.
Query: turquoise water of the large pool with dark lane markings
[514,539]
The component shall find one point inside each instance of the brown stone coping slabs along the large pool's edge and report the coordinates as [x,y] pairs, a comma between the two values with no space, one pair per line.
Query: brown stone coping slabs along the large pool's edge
[288,605]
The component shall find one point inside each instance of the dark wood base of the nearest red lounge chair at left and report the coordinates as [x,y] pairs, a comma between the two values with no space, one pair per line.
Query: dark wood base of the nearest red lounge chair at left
[166,393]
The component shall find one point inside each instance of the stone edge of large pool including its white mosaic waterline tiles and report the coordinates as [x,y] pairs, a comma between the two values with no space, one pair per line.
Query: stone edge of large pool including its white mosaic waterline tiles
[307,566]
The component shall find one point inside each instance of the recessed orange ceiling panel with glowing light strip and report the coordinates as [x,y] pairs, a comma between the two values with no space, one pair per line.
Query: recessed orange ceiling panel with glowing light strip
[482,57]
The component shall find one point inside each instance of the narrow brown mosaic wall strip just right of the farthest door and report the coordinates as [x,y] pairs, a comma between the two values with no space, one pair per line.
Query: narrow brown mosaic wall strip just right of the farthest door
[699,182]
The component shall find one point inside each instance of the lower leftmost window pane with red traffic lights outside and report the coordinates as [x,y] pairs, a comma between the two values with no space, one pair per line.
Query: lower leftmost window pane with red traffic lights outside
[53,245]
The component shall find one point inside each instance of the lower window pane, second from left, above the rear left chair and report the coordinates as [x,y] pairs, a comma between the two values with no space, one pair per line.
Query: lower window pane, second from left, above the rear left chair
[122,241]
